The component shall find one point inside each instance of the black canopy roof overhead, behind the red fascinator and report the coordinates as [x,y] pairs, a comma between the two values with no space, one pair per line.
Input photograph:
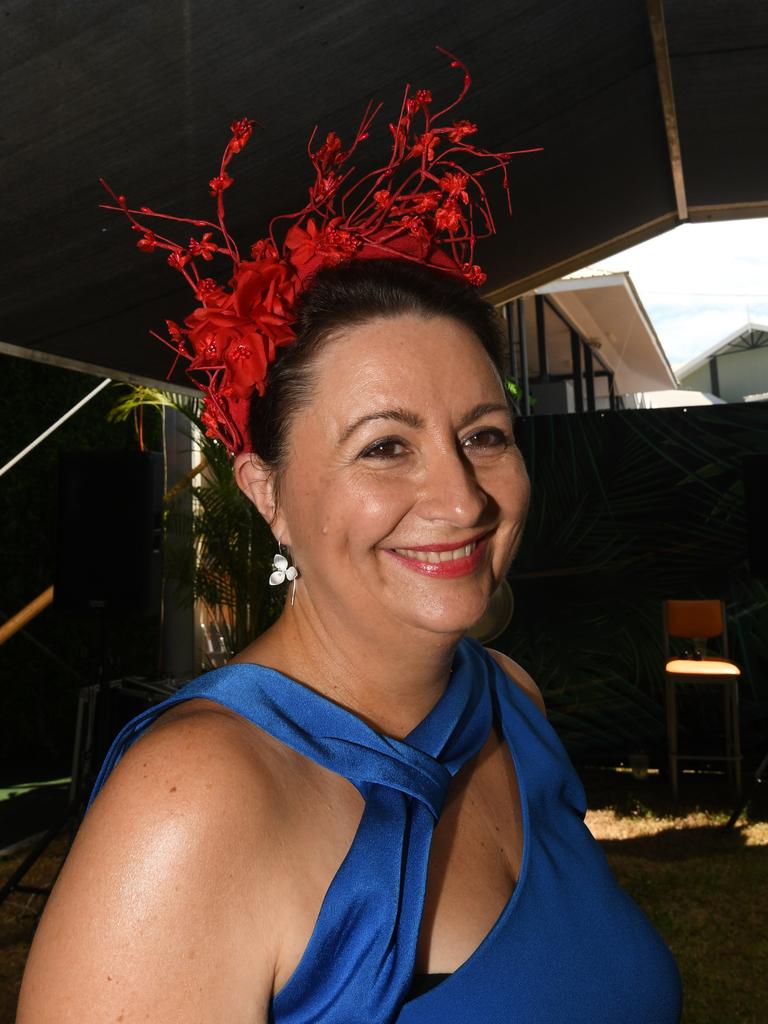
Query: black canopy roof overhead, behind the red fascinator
[649,115]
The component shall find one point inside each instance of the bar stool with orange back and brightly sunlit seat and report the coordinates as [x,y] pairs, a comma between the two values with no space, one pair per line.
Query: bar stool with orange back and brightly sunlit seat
[698,622]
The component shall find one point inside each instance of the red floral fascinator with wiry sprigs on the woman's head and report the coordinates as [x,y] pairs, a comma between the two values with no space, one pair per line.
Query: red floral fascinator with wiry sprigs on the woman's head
[428,204]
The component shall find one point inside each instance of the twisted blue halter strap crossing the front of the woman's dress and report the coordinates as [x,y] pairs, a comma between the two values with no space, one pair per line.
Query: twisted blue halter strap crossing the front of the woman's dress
[368,928]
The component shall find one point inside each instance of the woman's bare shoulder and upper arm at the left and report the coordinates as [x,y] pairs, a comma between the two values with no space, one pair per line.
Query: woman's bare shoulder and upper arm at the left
[161,910]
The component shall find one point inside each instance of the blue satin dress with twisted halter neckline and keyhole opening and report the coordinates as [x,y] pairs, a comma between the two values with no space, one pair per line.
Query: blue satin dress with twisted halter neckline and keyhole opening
[570,947]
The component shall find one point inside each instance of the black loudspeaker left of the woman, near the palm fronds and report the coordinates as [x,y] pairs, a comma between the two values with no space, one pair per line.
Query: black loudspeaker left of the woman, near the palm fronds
[109,534]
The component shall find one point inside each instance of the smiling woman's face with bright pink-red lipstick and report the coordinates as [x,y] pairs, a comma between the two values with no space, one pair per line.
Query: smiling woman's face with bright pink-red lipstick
[405,496]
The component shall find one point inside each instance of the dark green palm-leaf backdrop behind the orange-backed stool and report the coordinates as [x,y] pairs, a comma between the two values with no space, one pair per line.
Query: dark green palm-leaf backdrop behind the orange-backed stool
[628,509]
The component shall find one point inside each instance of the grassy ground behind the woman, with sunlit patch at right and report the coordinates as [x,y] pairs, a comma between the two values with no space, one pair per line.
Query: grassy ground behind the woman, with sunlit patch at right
[706,890]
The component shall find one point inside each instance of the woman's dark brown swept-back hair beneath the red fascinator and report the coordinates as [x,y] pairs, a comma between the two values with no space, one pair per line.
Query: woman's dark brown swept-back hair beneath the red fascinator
[351,295]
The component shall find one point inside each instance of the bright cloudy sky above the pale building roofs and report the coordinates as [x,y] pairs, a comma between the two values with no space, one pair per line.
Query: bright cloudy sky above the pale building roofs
[700,283]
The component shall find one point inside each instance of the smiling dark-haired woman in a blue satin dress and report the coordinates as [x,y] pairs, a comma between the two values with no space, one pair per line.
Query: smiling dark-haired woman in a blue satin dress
[364,817]
